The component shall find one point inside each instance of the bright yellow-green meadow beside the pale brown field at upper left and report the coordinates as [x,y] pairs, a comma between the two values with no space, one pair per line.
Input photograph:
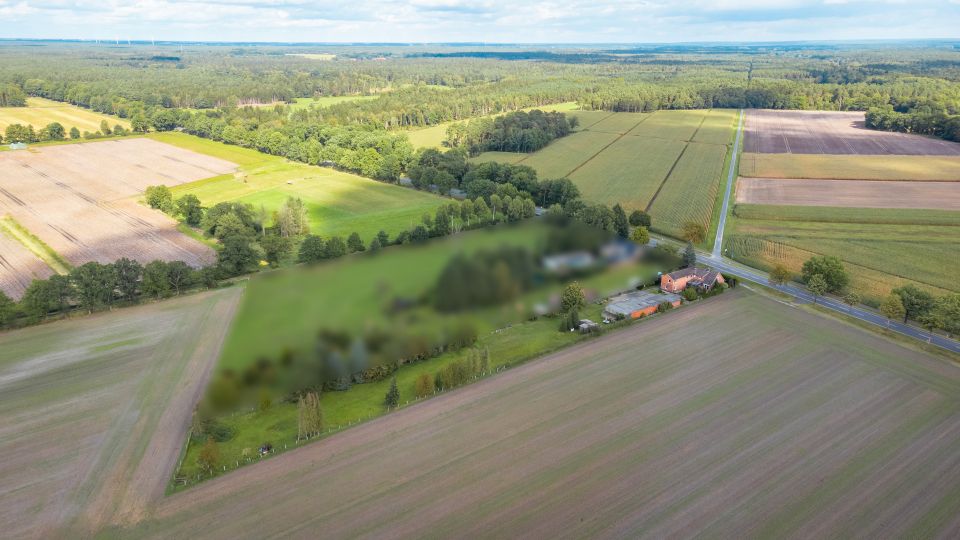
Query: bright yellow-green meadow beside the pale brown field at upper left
[339,203]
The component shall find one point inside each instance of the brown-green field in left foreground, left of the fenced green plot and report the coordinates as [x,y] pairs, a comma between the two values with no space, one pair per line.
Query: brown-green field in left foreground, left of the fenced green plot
[94,411]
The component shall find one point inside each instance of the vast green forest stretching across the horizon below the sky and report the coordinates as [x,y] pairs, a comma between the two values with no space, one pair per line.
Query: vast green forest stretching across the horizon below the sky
[907,87]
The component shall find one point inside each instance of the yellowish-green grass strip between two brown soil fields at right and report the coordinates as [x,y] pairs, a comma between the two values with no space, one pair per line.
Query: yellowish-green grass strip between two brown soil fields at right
[847,167]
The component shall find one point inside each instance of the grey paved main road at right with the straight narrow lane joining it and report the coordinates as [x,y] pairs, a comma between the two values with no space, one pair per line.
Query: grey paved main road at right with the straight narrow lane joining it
[718,261]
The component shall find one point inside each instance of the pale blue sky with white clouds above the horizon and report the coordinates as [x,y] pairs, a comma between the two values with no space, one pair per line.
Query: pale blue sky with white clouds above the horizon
[511,21]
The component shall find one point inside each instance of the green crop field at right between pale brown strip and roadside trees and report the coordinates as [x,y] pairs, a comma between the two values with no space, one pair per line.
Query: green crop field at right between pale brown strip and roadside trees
[882,248]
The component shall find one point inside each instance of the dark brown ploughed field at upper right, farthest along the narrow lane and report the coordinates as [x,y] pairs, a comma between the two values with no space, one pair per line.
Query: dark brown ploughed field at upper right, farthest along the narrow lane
[832,132]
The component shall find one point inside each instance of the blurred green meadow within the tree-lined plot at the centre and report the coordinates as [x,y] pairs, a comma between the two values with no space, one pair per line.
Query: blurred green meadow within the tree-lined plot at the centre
[345,294]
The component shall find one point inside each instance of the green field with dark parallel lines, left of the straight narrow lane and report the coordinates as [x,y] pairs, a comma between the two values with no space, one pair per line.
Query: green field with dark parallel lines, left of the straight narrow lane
[669,163]
